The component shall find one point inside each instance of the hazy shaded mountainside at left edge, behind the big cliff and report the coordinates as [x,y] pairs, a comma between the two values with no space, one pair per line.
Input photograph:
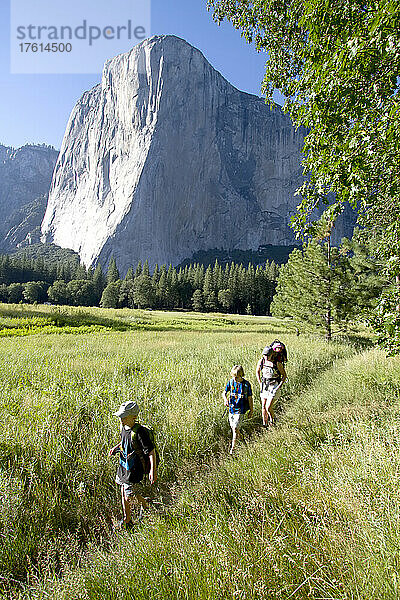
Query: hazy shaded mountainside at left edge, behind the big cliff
[25,178]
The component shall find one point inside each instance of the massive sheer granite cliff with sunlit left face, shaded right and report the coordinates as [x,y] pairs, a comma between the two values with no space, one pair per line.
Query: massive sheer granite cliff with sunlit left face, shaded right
[165,158]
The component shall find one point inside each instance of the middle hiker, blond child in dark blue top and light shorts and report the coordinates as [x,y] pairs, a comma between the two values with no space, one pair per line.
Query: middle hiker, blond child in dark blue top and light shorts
[240,401]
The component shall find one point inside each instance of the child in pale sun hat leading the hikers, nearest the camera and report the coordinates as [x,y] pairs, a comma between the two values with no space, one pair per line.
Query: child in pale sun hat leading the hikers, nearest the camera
[137,456]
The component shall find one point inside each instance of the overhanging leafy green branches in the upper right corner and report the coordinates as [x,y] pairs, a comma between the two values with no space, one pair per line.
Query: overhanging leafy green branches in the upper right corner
[337,63]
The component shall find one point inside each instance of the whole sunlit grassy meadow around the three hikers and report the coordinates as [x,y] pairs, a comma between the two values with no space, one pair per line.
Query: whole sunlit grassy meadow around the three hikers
[310,509]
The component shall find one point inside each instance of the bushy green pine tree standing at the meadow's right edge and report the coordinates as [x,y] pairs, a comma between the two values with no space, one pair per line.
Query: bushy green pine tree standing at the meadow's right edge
[320,286]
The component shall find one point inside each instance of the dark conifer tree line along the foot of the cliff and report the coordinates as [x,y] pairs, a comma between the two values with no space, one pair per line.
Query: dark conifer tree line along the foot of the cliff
[230,288]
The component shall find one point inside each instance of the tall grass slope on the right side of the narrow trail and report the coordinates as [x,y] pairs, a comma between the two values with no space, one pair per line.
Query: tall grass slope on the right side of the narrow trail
[310,510]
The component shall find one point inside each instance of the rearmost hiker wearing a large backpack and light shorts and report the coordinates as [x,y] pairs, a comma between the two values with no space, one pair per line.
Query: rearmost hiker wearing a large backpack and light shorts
[271,375]
